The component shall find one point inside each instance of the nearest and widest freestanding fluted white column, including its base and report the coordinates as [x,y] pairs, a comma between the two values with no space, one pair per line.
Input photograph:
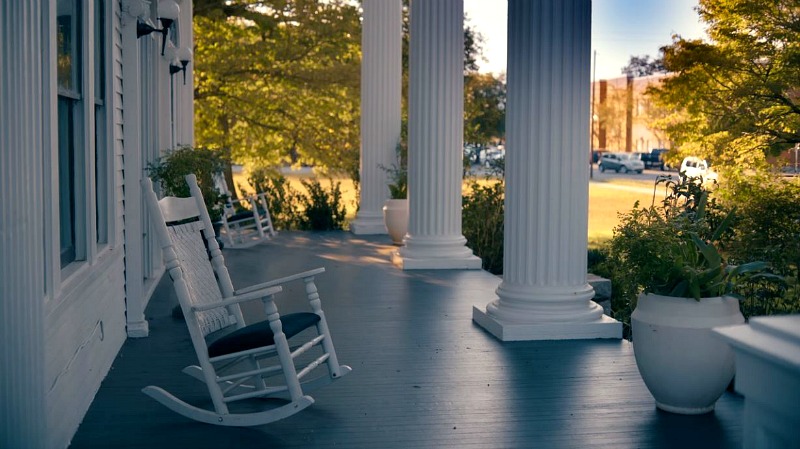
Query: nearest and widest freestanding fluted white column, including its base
[544,294]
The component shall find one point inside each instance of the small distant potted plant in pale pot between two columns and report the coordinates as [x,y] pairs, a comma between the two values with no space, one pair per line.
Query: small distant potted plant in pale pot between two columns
[395,209]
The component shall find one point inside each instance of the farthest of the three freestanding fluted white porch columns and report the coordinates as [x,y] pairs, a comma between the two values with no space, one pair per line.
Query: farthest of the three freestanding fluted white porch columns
[381,46]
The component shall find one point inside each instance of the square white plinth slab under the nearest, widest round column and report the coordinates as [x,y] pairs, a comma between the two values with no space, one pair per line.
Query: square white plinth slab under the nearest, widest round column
[605,327]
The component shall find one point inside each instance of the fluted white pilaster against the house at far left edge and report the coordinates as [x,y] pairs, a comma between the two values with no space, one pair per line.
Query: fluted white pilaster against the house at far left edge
[26,93]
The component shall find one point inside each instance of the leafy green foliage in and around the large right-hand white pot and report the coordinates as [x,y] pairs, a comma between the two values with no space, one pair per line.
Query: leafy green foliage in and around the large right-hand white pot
[685,246]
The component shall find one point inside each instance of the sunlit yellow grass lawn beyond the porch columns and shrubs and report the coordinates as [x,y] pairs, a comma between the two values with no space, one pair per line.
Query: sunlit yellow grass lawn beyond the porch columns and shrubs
[606,200]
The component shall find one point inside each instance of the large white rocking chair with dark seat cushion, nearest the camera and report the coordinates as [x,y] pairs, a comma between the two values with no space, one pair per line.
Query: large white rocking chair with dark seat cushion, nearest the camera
[235,366]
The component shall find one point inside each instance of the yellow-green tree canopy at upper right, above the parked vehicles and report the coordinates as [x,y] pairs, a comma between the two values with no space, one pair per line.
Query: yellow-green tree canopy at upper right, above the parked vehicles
[738,94]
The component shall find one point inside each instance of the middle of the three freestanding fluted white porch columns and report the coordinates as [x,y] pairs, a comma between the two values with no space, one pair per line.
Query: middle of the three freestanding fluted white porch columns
[435,136]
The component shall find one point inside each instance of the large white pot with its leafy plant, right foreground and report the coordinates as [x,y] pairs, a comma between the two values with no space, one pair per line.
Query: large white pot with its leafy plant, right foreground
[672,253]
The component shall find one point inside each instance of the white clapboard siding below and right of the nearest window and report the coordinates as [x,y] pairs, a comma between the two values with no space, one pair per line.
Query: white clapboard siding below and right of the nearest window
[85,319]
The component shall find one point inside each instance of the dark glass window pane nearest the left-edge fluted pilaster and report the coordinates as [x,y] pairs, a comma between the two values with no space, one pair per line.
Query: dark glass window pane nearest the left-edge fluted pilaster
[68,67]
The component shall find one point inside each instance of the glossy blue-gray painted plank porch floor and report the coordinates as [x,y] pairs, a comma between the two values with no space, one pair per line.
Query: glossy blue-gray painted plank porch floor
[423,374]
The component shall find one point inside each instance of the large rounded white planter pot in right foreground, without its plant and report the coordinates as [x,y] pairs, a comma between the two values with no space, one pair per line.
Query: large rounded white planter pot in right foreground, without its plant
[685,367]
